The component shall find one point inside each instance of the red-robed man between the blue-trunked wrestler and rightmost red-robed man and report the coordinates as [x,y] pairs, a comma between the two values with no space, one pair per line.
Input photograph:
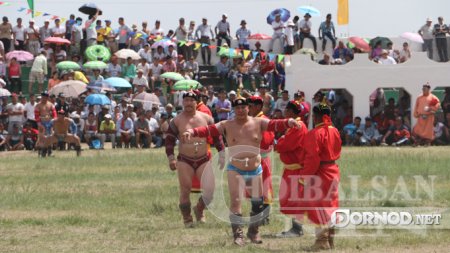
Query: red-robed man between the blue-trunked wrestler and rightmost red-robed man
[291,149]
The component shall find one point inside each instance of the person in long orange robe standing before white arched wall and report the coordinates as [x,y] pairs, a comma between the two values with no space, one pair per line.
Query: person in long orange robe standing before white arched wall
[426,106]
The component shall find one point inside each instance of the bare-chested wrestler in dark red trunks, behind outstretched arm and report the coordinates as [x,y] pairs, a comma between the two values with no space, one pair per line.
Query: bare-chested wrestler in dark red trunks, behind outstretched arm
[192,158]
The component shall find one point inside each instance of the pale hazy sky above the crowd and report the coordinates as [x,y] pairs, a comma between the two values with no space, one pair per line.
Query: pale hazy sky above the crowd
[367,18]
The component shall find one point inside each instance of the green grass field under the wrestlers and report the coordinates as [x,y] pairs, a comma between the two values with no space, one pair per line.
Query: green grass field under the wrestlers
[127,201]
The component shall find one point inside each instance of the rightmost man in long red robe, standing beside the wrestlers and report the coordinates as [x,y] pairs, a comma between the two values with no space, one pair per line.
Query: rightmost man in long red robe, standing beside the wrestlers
[321,171]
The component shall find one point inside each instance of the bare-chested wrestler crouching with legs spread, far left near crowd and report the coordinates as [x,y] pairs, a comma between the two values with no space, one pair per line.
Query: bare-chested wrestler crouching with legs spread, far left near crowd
[61,126]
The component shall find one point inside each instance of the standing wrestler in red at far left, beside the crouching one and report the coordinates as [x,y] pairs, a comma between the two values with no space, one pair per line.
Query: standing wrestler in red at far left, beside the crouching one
[44,112]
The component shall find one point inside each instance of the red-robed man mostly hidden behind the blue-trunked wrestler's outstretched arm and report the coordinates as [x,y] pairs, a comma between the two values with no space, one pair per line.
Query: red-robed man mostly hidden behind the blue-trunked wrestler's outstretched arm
[255,104]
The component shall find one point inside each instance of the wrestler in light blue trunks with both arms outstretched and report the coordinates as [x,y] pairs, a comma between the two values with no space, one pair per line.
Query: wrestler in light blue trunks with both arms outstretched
[245,165]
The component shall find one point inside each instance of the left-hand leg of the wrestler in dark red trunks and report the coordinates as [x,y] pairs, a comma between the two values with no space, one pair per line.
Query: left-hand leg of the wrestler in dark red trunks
[185,174]
